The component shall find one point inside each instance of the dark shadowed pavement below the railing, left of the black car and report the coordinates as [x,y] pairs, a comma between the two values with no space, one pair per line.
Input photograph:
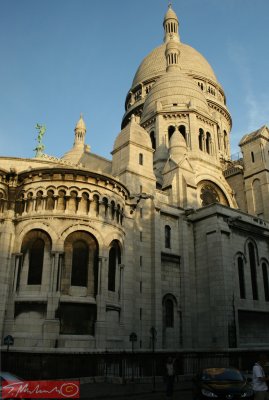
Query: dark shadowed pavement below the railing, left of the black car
[105,390]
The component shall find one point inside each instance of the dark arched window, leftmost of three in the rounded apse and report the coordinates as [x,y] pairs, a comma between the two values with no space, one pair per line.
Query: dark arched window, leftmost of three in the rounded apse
[36,257]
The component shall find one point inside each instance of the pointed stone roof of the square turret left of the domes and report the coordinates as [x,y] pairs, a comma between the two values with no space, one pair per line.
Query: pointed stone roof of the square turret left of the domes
[132,133]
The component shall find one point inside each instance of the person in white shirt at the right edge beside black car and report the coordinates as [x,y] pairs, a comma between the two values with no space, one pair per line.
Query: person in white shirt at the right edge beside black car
[259,379]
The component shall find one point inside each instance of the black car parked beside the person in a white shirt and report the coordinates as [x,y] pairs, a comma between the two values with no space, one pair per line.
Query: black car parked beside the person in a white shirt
[221,383]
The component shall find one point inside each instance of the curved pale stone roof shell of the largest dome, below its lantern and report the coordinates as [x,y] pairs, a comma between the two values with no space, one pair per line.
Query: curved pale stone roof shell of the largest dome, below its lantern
[191,62]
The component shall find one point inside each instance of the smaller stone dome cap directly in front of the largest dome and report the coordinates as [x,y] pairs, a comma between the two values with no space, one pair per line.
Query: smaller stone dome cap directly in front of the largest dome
[174,88]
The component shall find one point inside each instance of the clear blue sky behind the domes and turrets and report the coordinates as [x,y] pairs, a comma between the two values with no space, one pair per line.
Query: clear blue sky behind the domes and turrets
[63,57]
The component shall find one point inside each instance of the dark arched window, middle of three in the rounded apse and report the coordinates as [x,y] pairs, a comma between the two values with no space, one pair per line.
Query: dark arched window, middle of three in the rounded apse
[80,260]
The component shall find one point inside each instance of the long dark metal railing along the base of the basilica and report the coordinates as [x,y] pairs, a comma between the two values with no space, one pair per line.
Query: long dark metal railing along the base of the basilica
[124,365]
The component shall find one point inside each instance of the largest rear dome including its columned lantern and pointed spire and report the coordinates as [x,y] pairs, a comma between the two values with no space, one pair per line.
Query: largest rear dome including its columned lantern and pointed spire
[190,63]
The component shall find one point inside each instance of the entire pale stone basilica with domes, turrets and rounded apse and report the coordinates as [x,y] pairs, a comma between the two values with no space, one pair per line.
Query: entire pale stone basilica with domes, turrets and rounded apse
[167,241]
